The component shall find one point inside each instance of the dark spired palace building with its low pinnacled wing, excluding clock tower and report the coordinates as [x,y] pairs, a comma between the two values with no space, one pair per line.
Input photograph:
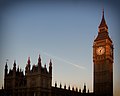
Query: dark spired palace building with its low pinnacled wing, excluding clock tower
[37,81]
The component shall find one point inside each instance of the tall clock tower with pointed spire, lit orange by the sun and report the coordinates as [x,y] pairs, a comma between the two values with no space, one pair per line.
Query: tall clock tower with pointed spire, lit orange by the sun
[103,61]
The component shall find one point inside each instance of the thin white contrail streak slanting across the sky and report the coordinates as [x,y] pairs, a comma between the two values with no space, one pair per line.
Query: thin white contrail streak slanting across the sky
[60,59]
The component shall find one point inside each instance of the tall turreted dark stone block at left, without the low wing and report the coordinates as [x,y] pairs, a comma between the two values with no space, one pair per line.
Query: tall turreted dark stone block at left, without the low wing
[36,81]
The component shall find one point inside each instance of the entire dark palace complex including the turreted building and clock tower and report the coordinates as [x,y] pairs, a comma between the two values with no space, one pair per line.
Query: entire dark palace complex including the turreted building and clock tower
[37,81]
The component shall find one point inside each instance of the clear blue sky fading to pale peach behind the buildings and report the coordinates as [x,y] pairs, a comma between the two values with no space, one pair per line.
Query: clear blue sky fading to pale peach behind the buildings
[63,31]
